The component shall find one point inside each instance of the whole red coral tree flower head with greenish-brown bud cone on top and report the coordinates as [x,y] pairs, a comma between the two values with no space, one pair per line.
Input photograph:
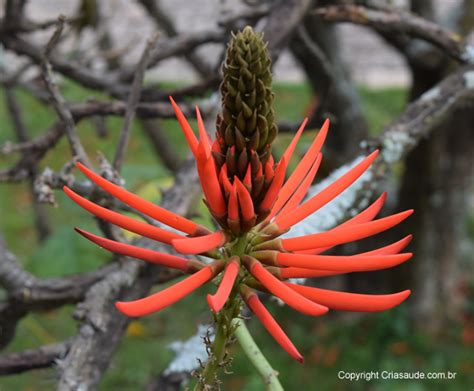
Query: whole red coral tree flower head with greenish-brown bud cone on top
[246,192]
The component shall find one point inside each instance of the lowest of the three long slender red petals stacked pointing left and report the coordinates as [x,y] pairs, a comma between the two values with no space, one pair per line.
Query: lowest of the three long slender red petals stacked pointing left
[128,250]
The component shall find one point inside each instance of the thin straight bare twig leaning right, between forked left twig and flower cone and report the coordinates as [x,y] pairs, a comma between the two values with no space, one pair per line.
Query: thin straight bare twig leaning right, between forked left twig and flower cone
[132,103]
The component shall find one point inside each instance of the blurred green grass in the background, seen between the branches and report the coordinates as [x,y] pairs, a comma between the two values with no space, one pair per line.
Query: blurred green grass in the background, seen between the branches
[376,341]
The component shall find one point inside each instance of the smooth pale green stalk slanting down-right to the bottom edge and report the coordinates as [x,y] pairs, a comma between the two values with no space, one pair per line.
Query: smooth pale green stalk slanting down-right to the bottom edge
[268,374]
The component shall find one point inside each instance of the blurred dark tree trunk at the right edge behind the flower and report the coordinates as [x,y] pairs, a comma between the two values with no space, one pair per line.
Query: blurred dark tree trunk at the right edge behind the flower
[438,178]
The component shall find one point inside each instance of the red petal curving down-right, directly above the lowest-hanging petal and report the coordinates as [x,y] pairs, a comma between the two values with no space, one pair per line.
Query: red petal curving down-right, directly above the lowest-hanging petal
[280,290]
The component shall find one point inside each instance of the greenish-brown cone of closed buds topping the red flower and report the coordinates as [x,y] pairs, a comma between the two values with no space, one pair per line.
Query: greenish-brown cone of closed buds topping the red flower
[247,117]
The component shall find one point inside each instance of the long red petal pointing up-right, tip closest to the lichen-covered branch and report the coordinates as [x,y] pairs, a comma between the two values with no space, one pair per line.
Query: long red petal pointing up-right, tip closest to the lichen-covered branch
[289,219]
